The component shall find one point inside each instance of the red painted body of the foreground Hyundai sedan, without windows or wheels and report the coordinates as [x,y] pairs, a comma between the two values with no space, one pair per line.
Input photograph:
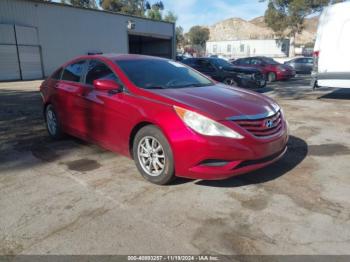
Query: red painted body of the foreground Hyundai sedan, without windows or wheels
[112,121]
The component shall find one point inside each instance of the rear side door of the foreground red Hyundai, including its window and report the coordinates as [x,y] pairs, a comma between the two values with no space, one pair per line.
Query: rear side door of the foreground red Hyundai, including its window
[66,91]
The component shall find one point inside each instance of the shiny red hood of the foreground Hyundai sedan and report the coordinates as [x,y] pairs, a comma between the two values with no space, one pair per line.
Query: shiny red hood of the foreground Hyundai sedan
[220,102]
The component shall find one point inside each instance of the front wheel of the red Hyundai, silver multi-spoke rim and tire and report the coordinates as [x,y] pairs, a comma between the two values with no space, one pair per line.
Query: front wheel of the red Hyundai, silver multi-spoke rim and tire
[155,166]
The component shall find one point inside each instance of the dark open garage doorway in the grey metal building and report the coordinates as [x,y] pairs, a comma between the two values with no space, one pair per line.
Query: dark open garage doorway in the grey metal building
[153,46]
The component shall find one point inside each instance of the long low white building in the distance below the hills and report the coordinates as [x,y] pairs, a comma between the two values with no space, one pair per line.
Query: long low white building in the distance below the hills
[250,47]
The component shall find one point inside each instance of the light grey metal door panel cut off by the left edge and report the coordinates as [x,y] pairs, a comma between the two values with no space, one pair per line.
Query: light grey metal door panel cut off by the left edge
[9,67]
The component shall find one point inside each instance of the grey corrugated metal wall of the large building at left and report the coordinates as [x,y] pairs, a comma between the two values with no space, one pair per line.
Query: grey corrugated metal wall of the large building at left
[66,32]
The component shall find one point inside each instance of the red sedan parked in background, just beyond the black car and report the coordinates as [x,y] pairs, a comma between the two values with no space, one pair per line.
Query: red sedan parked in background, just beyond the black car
[269,67]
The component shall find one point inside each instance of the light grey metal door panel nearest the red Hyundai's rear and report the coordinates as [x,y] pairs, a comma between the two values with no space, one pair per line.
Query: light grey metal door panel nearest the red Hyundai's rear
[30,61]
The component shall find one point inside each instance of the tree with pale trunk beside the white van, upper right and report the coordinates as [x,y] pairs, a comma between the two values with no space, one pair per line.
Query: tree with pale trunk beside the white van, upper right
[286,17]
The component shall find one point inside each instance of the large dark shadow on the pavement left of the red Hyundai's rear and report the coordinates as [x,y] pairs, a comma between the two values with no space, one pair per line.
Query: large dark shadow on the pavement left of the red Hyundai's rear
[22,130]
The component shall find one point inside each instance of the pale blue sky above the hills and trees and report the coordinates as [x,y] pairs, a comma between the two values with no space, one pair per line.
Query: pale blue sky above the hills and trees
[208,12]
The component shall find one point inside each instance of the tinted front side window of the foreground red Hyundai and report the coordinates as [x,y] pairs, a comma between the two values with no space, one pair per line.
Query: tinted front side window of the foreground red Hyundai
[98,70]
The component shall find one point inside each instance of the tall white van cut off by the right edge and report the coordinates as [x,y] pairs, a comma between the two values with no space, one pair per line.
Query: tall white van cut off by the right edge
[331,51]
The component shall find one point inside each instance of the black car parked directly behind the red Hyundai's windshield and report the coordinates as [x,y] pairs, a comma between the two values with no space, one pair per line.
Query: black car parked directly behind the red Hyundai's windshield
[222,71]
